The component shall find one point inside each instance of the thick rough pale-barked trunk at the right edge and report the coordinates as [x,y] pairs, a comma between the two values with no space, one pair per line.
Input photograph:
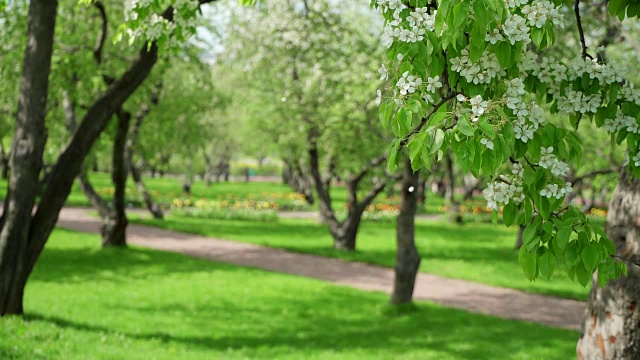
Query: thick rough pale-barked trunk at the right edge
[611,327]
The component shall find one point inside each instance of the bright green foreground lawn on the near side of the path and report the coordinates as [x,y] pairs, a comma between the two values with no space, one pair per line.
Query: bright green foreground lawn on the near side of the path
[86,303]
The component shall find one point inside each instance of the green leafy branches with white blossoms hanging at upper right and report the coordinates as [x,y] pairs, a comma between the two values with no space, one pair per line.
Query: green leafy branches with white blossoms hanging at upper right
[466,75]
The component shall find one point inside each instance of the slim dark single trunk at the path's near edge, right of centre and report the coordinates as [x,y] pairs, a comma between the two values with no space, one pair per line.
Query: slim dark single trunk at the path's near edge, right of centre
[407,256]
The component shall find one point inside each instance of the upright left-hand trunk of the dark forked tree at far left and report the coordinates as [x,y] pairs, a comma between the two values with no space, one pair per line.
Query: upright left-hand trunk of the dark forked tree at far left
[26,156]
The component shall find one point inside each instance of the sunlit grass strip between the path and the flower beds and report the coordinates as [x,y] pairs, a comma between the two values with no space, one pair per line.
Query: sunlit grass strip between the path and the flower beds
[475,251]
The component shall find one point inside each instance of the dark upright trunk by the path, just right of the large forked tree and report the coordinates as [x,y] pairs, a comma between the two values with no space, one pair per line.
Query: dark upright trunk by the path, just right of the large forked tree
[114,226]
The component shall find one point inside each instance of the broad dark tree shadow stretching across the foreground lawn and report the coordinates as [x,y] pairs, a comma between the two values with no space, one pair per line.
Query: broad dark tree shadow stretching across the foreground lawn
[312,325]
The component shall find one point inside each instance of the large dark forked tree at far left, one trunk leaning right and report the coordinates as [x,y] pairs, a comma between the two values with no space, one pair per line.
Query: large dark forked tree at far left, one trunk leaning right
[25,232]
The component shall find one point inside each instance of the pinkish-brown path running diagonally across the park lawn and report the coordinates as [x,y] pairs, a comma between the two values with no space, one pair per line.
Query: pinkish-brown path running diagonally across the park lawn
[460,294]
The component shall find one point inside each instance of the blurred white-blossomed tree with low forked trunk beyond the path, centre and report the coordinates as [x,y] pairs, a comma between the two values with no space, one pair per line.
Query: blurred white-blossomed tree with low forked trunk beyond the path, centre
[323,108]
